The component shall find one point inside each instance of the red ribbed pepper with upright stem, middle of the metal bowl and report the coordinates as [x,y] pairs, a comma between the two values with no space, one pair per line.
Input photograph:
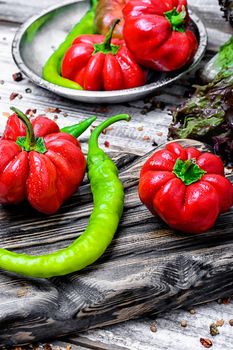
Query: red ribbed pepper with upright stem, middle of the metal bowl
[102,63]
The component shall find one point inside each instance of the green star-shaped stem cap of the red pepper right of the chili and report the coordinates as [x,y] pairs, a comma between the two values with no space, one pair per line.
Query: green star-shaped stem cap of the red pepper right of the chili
[188,171]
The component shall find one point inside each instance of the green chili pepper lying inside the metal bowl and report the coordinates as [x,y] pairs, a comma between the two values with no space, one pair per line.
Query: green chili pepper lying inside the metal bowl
[52,68]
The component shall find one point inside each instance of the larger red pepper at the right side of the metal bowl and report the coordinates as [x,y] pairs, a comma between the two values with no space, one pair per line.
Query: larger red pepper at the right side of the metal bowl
[156,33]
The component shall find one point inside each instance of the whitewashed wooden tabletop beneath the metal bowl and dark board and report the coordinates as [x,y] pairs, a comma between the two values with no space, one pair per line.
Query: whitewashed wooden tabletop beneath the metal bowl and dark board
[149,125]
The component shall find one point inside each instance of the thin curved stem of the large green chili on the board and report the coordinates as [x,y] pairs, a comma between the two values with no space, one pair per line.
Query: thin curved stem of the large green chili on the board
[93,141]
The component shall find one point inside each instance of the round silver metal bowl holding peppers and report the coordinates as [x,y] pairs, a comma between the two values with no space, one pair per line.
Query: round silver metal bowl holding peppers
[36,40]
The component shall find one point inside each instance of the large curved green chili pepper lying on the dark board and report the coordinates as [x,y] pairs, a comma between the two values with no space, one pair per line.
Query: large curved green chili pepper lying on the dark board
[108,197]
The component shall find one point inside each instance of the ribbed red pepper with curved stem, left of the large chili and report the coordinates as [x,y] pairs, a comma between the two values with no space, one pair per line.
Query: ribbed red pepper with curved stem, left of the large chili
[38,163]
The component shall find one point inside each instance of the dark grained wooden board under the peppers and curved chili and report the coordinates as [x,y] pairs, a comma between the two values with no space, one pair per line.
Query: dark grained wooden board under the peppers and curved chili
[147,269]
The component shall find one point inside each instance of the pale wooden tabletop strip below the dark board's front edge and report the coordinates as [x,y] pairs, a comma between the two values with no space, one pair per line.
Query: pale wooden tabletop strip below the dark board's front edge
[136,335]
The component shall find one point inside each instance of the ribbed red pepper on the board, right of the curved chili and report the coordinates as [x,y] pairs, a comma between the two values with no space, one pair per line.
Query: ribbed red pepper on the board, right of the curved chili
[185,187]
